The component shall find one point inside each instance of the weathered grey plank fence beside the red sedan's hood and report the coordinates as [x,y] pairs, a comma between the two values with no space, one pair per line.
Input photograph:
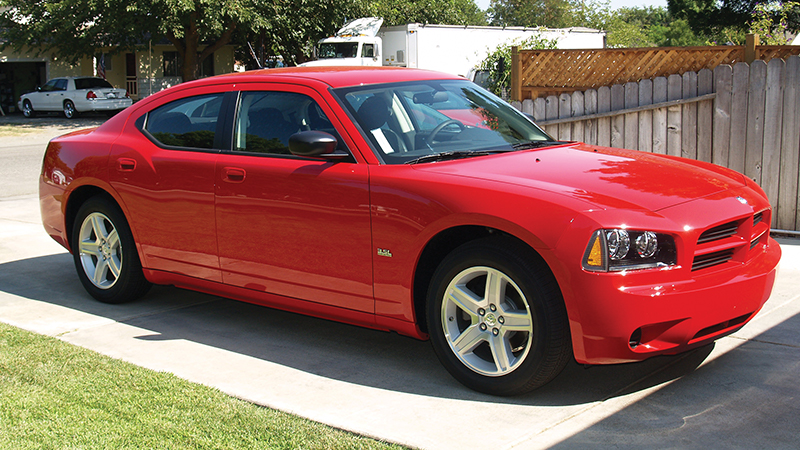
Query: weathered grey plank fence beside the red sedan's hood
[745,116]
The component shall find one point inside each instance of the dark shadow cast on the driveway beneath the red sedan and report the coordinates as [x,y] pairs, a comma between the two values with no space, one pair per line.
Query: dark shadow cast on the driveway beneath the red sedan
[321,347]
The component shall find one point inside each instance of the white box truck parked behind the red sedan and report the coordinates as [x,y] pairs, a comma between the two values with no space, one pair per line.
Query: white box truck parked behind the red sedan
[446,48]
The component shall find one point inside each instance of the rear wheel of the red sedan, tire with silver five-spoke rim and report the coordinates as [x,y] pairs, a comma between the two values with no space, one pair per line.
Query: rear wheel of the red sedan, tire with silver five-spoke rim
[105,254]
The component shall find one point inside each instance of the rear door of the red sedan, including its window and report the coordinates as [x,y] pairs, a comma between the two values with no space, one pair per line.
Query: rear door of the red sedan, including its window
[163,167]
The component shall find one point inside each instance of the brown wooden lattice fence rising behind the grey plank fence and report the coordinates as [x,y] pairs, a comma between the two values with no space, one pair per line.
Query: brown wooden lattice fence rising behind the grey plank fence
[544,72]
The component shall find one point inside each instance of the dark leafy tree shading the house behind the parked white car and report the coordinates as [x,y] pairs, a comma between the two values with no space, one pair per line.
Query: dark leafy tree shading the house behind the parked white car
[76,28]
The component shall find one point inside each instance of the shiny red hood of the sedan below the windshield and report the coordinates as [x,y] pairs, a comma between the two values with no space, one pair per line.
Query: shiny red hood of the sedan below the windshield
[605,177]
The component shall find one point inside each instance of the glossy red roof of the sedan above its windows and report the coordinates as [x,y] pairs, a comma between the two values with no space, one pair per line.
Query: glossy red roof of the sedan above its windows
[339,76]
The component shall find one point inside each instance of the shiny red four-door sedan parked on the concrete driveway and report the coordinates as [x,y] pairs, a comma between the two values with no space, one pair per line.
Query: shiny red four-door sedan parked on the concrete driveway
[356,194]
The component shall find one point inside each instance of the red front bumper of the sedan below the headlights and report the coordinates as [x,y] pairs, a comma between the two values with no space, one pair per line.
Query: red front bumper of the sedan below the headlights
[632,317]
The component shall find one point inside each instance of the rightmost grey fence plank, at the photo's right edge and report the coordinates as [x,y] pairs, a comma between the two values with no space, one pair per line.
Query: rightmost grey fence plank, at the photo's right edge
[788,206]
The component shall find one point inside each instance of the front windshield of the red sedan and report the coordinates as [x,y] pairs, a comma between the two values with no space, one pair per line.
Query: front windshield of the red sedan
[408,122]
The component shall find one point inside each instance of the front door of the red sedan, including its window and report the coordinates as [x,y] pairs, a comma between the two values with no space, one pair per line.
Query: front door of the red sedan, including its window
[297,227]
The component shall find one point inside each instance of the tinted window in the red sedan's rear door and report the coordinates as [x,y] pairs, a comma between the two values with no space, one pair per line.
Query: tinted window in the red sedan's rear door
[190,122]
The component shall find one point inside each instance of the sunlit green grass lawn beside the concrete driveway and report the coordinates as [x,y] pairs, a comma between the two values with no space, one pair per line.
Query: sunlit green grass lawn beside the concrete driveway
[54,395]
